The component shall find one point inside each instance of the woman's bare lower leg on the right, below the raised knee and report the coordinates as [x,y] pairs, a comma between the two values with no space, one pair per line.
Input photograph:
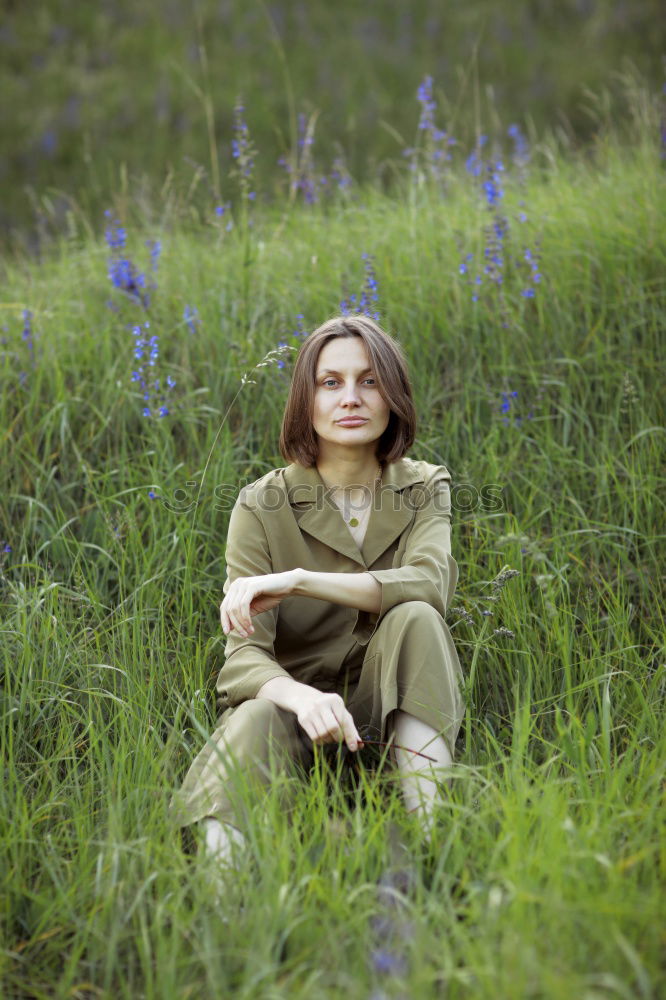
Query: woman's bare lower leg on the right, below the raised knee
[418,776]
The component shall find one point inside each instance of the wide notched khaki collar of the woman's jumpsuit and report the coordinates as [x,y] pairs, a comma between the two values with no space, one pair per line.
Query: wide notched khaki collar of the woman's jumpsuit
[390,513]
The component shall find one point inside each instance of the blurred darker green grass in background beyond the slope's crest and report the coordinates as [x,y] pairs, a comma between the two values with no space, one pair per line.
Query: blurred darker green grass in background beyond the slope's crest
[102,96]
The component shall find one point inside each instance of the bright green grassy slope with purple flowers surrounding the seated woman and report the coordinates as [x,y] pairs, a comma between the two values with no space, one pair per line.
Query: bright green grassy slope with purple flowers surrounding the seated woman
[530,303]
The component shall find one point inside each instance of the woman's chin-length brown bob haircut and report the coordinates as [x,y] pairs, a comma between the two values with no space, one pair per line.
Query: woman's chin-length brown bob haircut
[298,440]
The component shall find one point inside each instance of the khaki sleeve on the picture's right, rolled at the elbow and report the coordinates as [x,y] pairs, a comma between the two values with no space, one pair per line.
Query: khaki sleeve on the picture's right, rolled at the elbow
[425,570]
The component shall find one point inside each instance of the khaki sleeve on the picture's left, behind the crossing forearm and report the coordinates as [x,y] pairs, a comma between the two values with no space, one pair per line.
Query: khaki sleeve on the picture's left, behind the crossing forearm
[250,662]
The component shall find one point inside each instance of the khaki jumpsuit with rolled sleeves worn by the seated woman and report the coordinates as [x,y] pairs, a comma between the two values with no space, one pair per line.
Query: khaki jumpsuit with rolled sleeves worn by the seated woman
[401,658]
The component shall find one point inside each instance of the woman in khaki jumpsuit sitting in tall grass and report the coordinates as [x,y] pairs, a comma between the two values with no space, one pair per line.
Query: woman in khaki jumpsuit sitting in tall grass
[339,574]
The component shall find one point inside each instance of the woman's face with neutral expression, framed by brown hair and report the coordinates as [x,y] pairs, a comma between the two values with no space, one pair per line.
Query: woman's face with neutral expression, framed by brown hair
[346,387]
